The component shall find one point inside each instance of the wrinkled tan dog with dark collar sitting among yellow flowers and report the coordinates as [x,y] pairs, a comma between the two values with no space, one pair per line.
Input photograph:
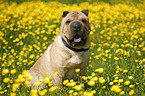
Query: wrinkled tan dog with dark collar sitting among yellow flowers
[70,50]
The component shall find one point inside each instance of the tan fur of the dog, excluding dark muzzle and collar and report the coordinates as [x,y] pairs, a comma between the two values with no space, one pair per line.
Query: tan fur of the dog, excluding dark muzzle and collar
[58,58]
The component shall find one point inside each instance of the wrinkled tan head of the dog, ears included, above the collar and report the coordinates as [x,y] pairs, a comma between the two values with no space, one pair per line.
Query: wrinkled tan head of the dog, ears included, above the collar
[75,27]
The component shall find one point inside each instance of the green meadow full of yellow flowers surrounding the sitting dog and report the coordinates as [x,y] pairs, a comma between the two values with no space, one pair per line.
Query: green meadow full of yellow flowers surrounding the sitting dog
[117,53]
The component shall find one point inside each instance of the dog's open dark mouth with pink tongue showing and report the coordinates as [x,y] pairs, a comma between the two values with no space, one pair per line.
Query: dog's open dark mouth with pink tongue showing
[77,41]
